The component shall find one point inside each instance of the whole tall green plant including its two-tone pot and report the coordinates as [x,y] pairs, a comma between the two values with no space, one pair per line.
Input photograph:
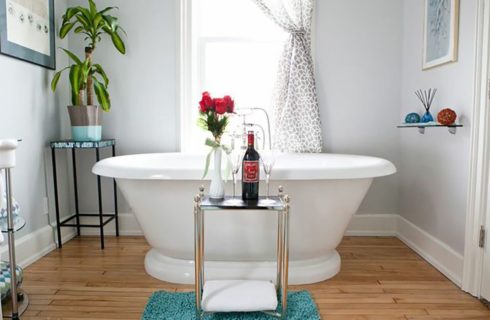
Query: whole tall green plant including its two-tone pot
[85,76]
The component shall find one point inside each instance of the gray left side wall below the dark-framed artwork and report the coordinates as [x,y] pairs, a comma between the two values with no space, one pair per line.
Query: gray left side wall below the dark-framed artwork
[29,110]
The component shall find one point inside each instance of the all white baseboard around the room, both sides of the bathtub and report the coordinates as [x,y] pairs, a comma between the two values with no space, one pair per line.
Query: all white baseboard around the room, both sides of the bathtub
[33,246]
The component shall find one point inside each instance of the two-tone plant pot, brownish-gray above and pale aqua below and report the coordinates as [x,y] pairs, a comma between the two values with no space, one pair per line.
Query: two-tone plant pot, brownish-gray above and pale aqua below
[85,123]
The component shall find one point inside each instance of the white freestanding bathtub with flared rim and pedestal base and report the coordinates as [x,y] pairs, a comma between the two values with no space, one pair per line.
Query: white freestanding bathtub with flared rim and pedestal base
[325,189]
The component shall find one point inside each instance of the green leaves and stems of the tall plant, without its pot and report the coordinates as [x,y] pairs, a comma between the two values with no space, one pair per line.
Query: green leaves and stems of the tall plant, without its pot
[92,24]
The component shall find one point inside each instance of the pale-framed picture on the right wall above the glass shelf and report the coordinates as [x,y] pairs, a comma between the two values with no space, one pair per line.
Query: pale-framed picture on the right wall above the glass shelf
[441,32]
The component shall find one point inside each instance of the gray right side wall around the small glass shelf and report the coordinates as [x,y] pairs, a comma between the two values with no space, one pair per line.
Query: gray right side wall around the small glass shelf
[434,167]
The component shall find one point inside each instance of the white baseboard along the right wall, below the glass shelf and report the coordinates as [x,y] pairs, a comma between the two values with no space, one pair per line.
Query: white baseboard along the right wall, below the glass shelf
[437,253]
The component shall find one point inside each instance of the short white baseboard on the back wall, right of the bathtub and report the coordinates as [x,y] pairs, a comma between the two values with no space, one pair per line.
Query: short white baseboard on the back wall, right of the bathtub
[373,225]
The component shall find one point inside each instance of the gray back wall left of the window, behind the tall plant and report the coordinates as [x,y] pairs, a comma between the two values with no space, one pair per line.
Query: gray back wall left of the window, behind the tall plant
[144,116]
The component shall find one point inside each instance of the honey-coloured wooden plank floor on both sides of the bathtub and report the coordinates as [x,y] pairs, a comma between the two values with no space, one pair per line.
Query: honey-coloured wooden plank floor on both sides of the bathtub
[380,279]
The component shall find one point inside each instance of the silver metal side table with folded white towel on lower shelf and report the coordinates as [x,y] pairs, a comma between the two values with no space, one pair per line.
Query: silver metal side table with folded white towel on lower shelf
[242,295]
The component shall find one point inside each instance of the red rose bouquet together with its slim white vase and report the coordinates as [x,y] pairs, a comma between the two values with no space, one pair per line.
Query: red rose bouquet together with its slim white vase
[214,117]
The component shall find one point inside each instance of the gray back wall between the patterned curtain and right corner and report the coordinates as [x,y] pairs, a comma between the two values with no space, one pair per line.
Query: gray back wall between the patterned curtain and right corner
[358,67]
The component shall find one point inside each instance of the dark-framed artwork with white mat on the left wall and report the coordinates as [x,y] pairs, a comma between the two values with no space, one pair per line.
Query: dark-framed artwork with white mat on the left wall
[27,31]
